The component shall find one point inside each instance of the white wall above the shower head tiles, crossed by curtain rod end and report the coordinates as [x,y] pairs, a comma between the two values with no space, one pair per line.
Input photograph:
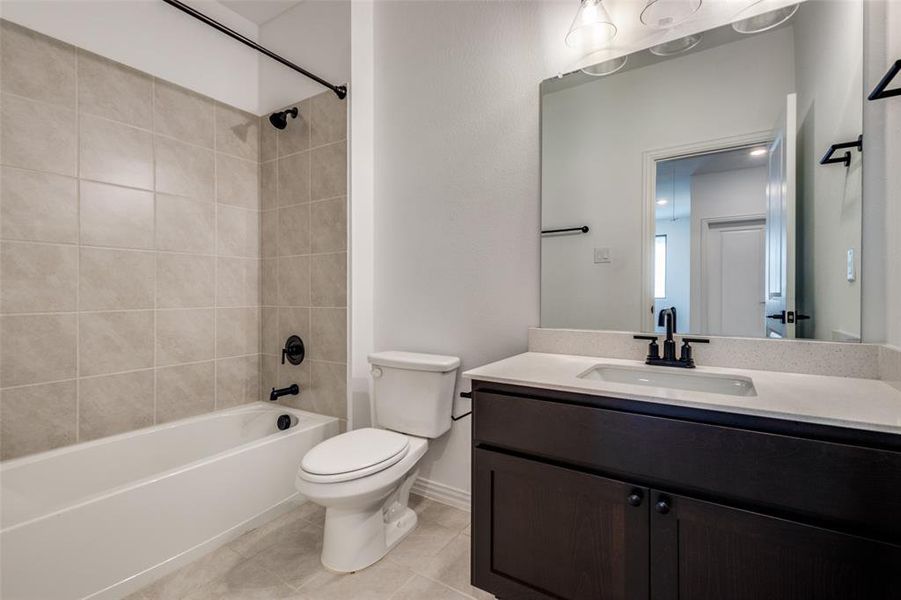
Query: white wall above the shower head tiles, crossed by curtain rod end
[314,35]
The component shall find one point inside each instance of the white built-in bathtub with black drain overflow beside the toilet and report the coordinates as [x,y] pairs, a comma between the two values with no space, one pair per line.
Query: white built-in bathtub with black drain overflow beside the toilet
[104,518]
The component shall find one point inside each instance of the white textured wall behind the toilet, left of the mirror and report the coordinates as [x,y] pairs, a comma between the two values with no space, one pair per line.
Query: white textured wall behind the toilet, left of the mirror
[456,188]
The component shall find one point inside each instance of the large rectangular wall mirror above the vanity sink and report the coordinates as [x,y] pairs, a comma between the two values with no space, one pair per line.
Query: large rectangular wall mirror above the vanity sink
[718,174]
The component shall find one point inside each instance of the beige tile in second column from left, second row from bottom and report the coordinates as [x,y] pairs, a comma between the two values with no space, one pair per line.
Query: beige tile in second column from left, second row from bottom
[111,342]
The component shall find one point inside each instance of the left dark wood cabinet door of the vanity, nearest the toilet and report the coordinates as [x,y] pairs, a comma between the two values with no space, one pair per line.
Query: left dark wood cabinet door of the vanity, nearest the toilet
[542,531]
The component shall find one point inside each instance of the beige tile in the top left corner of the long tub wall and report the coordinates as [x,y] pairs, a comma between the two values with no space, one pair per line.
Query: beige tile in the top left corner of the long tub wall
[36,66]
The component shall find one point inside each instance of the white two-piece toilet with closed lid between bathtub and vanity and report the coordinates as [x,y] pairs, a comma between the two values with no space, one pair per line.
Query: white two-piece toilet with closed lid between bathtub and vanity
[363,477]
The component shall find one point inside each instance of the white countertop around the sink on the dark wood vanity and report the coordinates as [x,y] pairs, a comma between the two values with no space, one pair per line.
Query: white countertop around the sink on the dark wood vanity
[868,404]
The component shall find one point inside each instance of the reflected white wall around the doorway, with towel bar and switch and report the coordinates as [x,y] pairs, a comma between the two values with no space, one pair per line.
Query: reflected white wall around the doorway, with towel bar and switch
[594,137]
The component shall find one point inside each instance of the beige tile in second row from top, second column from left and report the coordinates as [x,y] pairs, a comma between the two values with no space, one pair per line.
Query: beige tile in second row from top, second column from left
[115,153]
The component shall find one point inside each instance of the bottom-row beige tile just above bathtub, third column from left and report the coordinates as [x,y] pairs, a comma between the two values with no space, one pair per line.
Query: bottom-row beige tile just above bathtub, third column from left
[185,391]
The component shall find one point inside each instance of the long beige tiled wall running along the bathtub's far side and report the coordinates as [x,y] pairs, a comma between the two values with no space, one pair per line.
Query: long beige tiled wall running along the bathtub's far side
[129,285]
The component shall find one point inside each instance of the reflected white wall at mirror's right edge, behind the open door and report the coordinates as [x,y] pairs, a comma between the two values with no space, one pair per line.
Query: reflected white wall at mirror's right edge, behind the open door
[828,42]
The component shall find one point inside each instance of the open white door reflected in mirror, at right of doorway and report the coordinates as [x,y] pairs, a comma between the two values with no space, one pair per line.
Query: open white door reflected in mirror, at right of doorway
[780,226]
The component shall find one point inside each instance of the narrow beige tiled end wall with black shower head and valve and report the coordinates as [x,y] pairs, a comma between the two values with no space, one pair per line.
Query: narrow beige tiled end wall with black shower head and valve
[304,249]
